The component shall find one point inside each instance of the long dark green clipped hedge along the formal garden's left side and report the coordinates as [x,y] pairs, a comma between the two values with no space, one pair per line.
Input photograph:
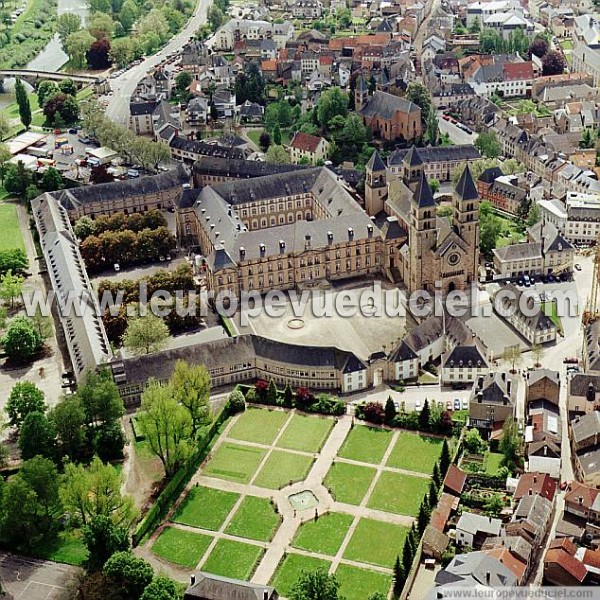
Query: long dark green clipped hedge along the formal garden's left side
[176,485]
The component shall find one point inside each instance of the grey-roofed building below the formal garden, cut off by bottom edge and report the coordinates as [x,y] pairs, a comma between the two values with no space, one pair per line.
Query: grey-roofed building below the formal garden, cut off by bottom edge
[205,586]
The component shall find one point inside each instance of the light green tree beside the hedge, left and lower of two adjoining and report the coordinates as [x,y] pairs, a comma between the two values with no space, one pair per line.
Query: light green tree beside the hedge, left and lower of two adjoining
[166,425]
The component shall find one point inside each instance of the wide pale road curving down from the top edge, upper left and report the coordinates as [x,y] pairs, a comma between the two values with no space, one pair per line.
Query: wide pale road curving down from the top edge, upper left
[123,86]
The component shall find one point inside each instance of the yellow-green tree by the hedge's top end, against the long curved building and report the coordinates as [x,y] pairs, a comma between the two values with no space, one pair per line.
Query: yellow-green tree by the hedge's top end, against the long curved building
[190,385]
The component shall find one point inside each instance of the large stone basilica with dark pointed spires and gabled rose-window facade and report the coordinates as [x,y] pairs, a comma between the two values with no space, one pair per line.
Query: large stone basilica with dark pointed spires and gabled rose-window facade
[429,252]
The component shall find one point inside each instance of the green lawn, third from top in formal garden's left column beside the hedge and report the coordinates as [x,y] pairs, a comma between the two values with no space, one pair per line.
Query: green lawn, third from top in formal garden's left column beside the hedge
[206,508]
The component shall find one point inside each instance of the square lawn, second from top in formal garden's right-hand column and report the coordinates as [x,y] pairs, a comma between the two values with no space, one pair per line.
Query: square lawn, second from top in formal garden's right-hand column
[400,494]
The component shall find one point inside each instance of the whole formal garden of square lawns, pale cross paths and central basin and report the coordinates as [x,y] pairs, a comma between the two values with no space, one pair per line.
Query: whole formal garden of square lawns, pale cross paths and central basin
[283,492]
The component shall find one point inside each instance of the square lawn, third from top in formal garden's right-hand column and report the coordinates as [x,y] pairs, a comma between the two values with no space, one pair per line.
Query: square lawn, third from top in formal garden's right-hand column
[376,543]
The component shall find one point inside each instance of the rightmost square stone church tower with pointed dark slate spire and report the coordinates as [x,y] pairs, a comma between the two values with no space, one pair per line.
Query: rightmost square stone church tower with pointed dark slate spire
[465,221]
